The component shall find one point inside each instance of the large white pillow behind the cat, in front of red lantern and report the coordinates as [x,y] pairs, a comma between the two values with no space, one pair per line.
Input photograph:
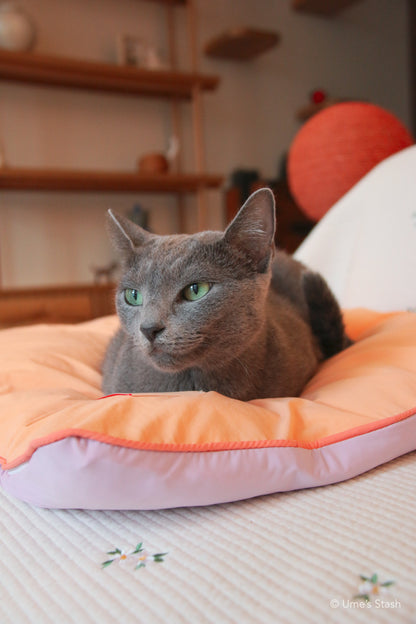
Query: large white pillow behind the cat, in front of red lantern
[365,245]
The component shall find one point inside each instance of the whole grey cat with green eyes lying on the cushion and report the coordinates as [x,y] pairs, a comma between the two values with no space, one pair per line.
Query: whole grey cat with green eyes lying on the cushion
[219,311]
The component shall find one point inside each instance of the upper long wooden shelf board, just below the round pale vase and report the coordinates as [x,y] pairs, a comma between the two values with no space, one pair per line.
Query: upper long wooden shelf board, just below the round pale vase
[65,72]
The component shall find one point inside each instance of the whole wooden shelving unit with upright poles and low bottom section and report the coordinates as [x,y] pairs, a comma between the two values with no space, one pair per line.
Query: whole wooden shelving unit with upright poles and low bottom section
[75,303]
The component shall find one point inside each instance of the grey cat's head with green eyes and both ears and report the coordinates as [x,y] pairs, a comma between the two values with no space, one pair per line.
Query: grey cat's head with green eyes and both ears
[196,300]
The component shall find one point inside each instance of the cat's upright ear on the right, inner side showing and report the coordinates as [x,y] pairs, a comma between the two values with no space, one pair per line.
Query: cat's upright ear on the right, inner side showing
[252,230]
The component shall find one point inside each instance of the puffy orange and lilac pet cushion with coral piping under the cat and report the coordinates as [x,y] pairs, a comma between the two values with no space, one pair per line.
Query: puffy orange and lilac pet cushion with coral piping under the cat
[63,445]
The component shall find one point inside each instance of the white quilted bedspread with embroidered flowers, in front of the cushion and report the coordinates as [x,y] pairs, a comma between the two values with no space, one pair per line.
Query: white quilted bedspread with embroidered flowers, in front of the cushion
[294,557]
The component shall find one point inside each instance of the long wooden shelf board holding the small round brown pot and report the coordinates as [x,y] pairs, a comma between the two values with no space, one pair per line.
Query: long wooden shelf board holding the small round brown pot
[69,180]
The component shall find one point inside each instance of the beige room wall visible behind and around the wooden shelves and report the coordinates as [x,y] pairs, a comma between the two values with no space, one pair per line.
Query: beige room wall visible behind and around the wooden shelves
[249,122]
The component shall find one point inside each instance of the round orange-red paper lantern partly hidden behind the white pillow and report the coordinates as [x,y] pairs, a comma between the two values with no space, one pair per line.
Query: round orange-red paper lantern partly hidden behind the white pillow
[336,148]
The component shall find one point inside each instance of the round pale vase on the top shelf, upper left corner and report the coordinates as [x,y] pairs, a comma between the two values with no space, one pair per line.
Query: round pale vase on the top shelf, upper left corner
[17,30]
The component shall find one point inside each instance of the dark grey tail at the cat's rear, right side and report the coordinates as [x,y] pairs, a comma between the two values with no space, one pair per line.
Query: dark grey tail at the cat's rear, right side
[325,315]
